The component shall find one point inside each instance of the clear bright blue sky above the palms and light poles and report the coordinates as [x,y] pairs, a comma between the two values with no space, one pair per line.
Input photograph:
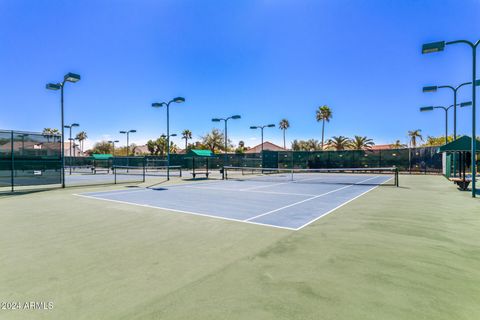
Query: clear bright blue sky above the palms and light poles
[263,59]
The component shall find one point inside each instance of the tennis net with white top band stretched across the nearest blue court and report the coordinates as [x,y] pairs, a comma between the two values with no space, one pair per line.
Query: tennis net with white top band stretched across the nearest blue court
[347,176]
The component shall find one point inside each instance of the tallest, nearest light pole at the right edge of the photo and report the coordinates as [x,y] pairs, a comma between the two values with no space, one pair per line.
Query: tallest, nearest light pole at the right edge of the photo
[440,46]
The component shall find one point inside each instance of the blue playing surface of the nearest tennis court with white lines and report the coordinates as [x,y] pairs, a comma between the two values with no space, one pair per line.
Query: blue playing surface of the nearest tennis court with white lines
[284,204]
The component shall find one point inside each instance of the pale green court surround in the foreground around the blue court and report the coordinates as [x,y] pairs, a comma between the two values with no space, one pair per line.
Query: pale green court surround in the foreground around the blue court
[394,253]
